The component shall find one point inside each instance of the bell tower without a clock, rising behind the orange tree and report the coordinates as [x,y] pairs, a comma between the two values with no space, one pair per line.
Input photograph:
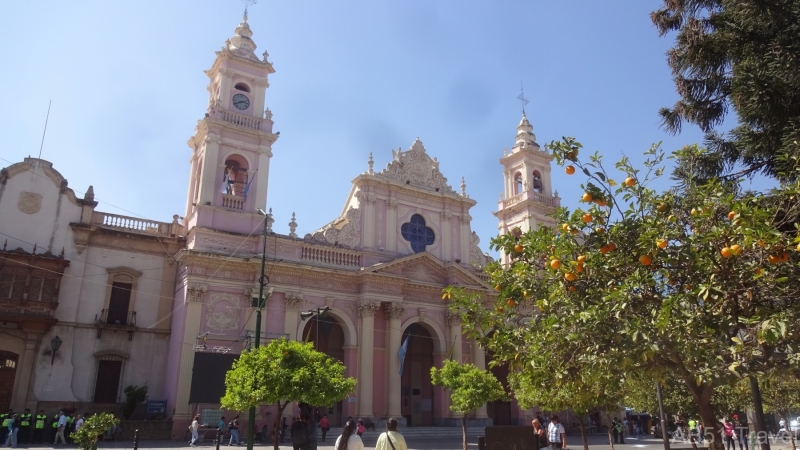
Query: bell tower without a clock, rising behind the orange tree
[528,200]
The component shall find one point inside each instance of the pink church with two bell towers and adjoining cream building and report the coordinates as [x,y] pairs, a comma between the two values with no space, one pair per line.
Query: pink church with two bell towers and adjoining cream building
[172,304]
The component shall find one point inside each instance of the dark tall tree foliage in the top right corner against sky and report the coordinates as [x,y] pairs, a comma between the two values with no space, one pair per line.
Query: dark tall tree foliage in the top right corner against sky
[740,54]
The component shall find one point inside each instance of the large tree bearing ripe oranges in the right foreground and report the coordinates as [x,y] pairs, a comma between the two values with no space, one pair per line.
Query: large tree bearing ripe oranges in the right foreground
[699,281]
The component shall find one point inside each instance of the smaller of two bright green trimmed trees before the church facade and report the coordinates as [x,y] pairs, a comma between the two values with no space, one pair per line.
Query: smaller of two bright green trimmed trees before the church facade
[470,388]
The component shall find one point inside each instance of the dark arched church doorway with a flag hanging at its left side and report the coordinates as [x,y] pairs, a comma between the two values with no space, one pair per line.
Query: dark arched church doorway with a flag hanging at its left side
[416,390]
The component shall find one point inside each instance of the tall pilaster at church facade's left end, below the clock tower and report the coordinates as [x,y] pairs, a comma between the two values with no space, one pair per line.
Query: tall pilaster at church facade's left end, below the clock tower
[191,329]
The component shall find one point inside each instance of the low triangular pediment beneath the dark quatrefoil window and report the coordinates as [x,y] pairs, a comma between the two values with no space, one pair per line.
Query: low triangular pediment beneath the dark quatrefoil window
[425,268]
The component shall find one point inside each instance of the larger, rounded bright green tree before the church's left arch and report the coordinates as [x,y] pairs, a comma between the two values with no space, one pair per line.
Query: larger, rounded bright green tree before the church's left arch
[283,372]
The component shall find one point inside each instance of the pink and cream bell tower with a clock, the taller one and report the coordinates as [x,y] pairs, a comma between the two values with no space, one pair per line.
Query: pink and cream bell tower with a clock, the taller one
[232,143]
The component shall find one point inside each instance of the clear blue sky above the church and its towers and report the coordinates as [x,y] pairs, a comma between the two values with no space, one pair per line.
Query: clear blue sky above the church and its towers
[353,77]
